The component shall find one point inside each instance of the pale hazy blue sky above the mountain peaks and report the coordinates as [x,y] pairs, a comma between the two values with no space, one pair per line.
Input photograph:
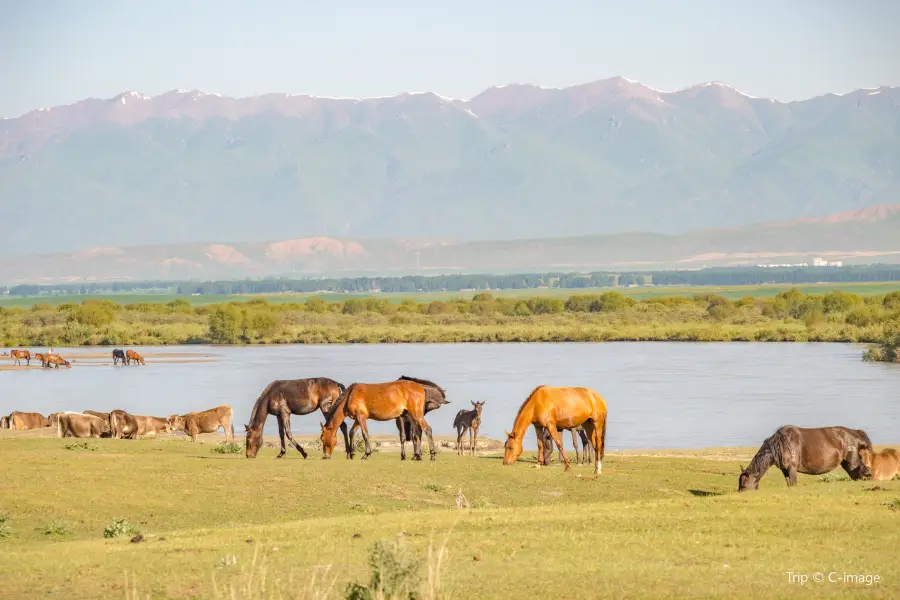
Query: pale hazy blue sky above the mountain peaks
[58,51]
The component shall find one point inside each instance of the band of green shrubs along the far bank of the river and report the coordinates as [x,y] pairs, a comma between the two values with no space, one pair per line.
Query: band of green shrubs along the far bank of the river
[788,317]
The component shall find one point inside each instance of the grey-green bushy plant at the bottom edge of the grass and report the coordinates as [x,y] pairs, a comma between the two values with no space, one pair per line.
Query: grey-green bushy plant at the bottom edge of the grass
[395,573]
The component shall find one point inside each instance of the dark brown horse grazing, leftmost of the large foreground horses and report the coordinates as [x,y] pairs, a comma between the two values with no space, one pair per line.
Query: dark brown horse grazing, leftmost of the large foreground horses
[284,398]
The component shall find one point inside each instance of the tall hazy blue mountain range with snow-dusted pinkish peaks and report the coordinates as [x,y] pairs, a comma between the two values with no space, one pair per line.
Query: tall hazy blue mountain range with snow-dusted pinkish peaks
[516,161]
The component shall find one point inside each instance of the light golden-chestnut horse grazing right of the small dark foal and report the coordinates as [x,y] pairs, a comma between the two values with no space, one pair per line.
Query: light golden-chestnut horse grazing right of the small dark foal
[556,408]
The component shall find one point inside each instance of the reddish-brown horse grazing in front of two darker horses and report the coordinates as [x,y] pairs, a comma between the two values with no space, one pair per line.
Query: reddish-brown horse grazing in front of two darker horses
[379,402]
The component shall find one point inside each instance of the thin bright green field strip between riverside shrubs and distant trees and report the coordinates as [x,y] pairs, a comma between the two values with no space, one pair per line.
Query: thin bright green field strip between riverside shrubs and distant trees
[638,293]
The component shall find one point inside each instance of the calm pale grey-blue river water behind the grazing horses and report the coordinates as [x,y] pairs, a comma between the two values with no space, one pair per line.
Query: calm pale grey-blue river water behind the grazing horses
[659,395]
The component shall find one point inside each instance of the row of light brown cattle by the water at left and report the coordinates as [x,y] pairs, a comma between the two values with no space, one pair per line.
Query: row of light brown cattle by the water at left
[123,425]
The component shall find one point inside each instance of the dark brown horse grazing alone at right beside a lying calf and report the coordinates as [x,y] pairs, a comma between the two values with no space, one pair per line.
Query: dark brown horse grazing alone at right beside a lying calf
[812,451]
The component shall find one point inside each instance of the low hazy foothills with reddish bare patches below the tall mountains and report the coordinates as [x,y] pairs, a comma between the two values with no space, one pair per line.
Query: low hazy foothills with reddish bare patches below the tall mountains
[862,236]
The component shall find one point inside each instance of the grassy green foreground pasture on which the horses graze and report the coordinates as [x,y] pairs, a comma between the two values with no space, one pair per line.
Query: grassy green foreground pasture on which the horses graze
[222,526]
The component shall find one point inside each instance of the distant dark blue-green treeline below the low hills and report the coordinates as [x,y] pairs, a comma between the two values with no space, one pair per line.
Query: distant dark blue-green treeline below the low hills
[437,283]
